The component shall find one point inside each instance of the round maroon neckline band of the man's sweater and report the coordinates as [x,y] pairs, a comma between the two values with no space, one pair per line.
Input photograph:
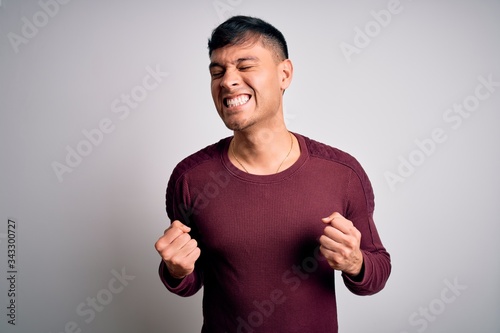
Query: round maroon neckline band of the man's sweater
[272,178]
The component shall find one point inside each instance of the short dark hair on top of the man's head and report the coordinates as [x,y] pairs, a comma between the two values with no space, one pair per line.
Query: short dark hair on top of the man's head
[240,29]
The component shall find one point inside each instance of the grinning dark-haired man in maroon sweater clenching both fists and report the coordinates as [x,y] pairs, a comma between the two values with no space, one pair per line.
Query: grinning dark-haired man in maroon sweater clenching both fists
[263,219]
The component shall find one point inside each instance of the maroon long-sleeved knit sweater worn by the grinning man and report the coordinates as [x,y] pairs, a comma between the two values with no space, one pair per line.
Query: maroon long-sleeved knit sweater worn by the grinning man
[260,267]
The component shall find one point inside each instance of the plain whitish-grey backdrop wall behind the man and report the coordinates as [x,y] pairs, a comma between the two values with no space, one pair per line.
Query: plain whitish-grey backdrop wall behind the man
[439,221]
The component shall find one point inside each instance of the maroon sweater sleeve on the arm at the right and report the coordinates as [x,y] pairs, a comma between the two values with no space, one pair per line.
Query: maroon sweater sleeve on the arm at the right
[376,260]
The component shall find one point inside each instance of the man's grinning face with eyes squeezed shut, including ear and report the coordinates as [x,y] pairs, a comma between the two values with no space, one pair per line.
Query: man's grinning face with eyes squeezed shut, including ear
[248,82]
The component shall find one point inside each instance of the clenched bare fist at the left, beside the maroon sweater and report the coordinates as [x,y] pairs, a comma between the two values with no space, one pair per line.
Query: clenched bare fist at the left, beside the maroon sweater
[178,250]
